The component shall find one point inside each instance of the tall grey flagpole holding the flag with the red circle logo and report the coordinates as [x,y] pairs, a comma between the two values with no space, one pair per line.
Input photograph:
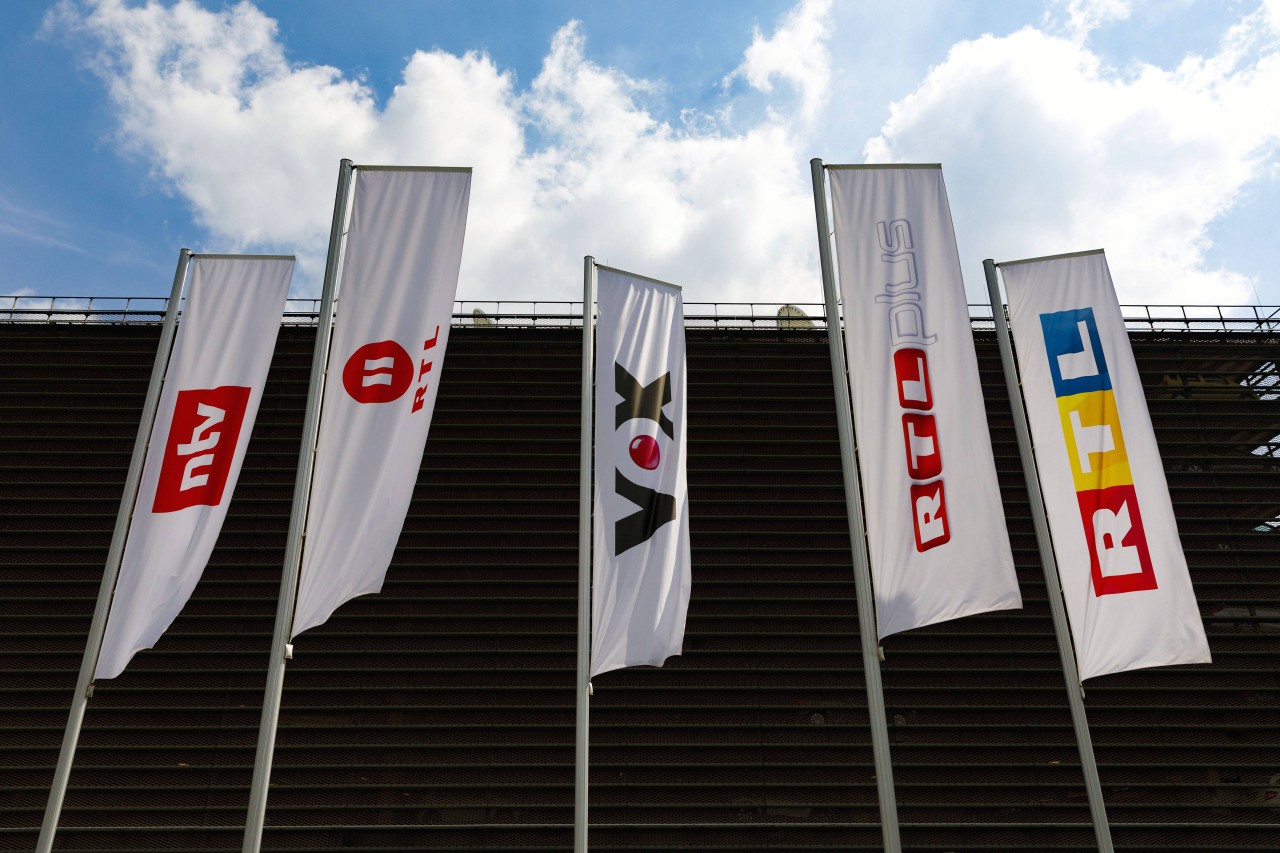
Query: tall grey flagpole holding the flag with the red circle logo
[281,649]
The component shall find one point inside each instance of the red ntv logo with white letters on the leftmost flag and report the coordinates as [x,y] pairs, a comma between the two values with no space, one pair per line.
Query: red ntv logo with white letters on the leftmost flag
[202,445]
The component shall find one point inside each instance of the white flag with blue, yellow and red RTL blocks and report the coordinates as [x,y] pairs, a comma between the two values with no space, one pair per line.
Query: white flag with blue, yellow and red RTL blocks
[1124,577]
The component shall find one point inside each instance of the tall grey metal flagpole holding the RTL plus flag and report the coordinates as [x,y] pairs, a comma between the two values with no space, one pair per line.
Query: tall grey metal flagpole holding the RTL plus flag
[857,533]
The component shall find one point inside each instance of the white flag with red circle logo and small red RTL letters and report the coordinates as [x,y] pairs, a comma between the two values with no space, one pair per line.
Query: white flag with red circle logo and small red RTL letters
[395,305]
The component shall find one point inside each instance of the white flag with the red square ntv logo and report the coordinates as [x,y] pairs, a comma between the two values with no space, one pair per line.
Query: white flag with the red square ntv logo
[212,393]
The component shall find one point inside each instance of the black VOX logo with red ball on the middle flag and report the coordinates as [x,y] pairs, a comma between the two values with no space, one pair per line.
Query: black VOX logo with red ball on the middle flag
[646,454]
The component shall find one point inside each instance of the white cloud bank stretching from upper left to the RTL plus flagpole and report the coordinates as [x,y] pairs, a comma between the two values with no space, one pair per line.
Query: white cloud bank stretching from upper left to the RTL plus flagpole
[254,142]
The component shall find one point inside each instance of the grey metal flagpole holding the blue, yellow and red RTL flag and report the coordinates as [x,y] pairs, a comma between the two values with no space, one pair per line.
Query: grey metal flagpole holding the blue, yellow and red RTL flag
[1053,586]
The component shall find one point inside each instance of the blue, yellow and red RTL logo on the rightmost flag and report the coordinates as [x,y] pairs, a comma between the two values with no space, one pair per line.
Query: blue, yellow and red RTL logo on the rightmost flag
[1119,559]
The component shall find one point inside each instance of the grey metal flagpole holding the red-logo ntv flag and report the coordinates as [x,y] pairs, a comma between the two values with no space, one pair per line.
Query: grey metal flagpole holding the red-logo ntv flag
[115,555]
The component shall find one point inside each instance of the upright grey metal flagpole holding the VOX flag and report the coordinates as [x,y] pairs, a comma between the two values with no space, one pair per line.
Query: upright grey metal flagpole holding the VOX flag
[584,563]
